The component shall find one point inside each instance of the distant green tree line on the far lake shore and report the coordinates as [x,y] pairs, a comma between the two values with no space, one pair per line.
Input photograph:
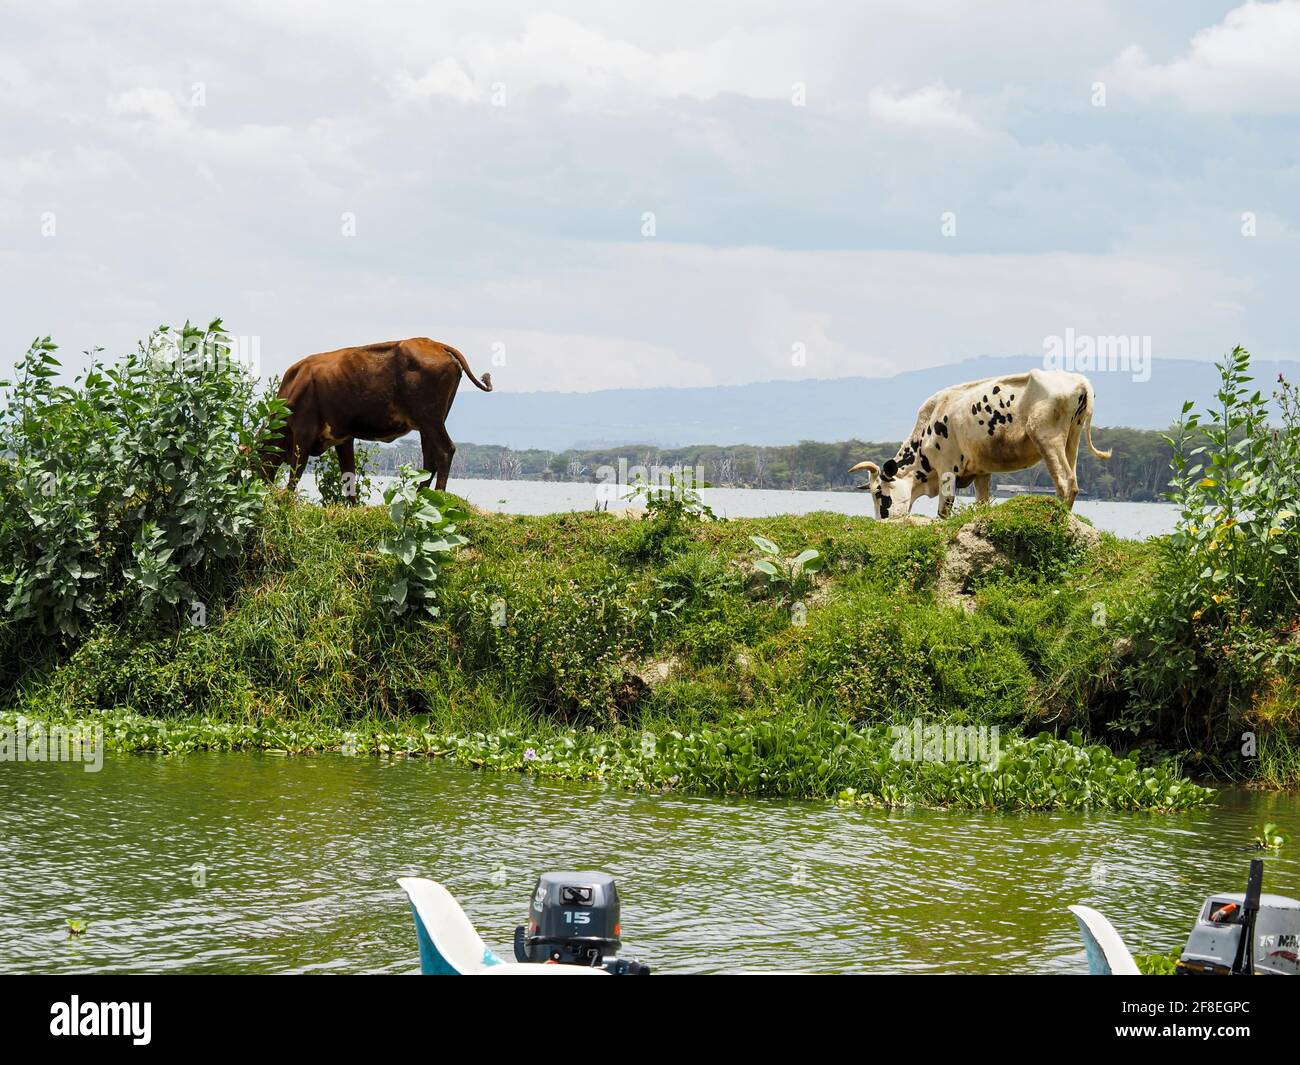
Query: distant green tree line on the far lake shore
[1138,471]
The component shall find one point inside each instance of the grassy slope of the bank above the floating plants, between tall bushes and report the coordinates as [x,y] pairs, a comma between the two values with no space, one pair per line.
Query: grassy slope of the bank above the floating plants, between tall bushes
[591,620]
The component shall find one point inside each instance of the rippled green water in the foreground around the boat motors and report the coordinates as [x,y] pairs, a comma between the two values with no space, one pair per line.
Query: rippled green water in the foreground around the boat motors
[257,864]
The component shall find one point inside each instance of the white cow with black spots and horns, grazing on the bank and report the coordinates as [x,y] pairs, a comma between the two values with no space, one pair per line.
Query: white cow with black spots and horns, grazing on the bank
[969,432]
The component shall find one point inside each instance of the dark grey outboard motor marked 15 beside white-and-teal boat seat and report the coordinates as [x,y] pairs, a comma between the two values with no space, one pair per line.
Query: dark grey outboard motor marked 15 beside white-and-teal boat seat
[574,920]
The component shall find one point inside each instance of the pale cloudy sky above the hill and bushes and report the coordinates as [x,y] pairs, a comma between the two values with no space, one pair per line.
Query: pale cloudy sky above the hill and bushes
[673,194]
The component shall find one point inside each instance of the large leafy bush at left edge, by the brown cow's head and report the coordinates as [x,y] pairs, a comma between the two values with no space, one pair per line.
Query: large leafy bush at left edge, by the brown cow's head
[129,487]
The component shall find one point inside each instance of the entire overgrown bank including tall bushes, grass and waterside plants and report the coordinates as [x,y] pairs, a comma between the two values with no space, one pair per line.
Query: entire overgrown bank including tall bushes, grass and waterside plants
[151,581]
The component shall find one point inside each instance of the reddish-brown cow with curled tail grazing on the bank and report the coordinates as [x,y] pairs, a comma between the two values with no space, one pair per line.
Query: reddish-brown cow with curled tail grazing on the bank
[374,392]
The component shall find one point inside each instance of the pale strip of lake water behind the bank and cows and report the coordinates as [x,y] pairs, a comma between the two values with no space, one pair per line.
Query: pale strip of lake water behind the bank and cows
[1130,521]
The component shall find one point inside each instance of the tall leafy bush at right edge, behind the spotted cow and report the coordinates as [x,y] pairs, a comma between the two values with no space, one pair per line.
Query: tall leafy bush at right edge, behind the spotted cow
[1217,630]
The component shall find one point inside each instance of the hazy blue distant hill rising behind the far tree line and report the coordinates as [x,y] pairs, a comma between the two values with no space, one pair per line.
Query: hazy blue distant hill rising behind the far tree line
[778,413]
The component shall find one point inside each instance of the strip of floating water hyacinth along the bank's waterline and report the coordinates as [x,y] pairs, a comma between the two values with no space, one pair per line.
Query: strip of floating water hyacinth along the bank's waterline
[800,759]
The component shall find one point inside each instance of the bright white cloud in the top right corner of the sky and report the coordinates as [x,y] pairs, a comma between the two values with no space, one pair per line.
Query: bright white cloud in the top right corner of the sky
[1250,63]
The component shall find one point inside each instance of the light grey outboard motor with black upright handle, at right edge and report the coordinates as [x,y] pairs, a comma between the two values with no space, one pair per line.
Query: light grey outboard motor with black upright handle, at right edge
[1245,933]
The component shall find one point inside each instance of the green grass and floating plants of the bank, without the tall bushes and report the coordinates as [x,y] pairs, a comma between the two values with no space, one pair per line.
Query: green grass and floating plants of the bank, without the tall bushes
[569,633]
